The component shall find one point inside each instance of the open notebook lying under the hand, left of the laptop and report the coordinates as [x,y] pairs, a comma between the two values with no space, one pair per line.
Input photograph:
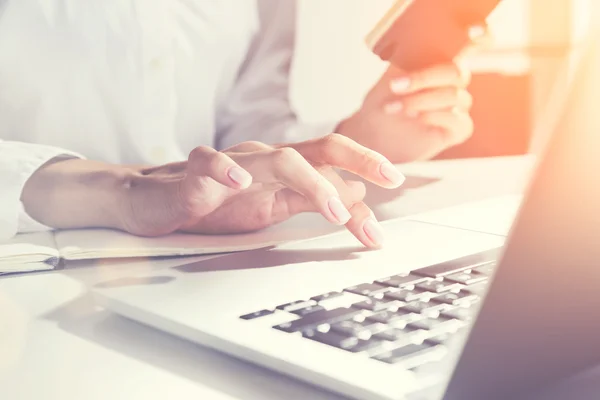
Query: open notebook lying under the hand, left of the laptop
[44,250]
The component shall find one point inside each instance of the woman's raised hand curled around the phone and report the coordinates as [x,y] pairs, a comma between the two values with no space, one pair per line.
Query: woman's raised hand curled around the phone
[410,116]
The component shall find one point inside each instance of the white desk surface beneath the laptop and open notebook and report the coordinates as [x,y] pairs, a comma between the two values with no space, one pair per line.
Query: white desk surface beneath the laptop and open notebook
[56,345]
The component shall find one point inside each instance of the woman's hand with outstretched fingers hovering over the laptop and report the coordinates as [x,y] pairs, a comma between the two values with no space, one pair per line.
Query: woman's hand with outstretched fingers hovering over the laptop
[245,188]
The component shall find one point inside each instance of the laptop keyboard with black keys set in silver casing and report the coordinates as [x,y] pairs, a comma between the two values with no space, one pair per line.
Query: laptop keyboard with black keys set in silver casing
[404,319]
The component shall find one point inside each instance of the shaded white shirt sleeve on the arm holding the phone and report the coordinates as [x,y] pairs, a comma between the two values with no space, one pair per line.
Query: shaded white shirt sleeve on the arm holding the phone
[258,107]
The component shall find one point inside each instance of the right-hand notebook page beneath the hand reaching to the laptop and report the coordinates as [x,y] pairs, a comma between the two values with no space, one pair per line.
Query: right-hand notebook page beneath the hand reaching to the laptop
[103,243]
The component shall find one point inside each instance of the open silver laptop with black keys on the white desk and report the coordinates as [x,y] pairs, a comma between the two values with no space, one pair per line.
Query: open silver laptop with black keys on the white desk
[439,313]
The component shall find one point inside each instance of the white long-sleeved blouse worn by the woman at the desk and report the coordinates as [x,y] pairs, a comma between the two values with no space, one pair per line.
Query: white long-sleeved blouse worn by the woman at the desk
[138,81]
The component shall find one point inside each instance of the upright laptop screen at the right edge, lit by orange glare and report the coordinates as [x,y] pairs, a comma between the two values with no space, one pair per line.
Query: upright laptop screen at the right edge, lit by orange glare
[538,322]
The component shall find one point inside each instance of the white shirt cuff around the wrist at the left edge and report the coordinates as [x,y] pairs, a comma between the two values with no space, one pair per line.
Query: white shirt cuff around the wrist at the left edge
[18,161]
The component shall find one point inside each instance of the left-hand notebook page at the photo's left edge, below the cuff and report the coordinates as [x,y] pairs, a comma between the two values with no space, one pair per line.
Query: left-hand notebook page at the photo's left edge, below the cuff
[29,252]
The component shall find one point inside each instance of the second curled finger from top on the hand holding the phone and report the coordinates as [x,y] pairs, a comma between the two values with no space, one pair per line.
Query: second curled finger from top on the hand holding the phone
[431,100]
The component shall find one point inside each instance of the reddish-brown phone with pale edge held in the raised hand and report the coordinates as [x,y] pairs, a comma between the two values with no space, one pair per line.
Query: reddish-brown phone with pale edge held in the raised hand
[418,33]
